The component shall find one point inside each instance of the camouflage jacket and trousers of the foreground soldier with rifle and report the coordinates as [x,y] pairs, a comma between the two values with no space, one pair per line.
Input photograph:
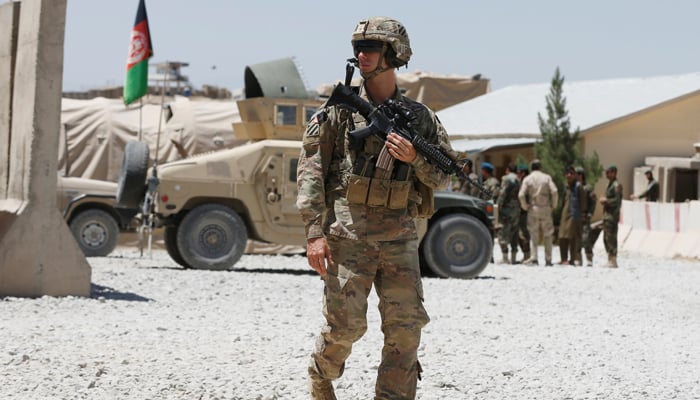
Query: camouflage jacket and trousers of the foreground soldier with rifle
[369,245]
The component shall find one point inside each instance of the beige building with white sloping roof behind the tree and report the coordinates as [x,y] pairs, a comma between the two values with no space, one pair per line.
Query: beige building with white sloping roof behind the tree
[623,120]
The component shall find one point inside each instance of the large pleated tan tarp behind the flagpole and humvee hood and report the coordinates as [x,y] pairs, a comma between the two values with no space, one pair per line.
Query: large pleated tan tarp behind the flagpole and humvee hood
[94,132]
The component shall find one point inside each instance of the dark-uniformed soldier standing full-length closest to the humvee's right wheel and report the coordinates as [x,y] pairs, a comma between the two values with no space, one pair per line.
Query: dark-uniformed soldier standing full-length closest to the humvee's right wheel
[509,214]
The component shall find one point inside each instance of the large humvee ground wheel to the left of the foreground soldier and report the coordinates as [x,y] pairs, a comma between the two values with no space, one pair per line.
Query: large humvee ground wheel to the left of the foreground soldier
[212,237]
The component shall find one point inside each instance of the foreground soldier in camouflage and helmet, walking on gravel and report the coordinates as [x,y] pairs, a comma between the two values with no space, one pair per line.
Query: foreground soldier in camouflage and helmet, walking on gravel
[358,233]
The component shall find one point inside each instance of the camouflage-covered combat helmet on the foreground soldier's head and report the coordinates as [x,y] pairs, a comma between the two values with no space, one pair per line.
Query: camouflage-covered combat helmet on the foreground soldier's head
[389,31]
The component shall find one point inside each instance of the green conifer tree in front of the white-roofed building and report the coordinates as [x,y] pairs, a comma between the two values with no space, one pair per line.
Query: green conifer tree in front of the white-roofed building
[560,147]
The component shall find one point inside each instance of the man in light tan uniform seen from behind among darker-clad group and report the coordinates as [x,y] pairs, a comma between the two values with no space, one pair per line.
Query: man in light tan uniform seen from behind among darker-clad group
[537,196]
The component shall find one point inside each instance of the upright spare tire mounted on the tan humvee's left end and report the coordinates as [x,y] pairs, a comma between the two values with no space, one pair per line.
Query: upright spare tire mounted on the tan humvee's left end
[131,185]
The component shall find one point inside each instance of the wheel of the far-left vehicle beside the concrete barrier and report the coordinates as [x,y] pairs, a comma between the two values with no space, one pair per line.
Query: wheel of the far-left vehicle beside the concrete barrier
[96,232]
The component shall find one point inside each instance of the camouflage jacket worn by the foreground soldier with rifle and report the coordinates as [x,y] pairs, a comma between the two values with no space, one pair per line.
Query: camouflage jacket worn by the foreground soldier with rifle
[326,162]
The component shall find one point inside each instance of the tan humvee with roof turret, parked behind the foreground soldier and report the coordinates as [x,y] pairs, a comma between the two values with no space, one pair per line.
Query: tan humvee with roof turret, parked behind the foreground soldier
[210,204]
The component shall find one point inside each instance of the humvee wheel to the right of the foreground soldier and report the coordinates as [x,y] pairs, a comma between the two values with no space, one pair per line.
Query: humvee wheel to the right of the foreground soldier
[457,246]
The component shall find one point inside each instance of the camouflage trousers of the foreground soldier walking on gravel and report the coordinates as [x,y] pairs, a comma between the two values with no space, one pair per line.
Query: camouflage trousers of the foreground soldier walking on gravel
[393,269]
